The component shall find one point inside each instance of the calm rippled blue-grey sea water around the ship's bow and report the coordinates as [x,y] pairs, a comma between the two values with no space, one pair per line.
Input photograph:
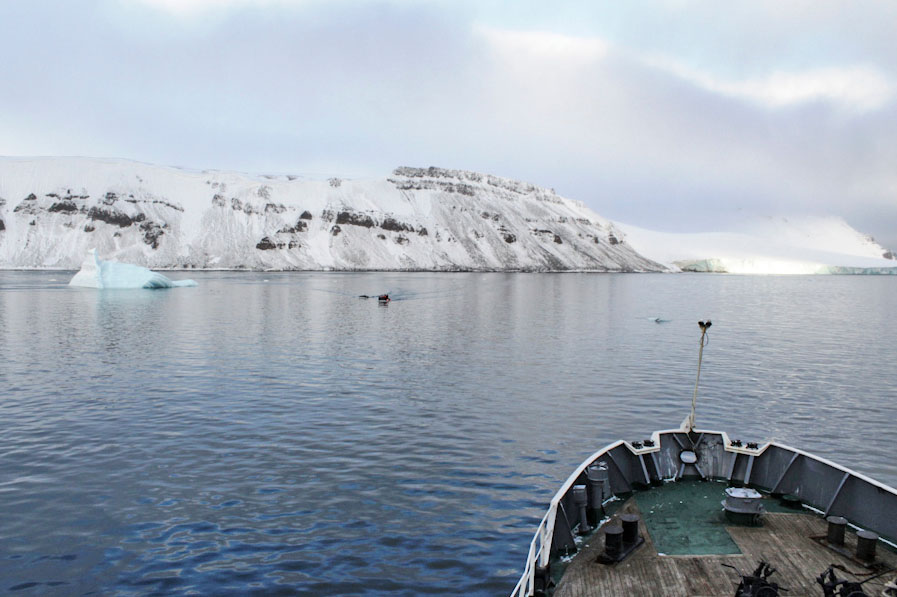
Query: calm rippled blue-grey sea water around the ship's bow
[275,434]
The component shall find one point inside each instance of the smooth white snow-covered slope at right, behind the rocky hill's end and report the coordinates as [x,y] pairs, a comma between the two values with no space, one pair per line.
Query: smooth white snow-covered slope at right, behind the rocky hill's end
[811,245]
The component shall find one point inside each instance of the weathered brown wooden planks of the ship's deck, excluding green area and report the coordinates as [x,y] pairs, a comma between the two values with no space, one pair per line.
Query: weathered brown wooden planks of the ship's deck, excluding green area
[783,541]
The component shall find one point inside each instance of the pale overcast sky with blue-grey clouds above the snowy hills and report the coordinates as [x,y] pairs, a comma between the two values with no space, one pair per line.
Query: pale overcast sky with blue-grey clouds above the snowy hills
[672,115]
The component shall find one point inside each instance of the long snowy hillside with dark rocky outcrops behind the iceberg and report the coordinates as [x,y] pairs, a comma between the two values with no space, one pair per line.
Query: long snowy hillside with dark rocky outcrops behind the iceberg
[53,210]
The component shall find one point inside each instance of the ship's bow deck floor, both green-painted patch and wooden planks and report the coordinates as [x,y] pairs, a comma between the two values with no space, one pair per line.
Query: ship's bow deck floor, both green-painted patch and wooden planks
[687,559]
